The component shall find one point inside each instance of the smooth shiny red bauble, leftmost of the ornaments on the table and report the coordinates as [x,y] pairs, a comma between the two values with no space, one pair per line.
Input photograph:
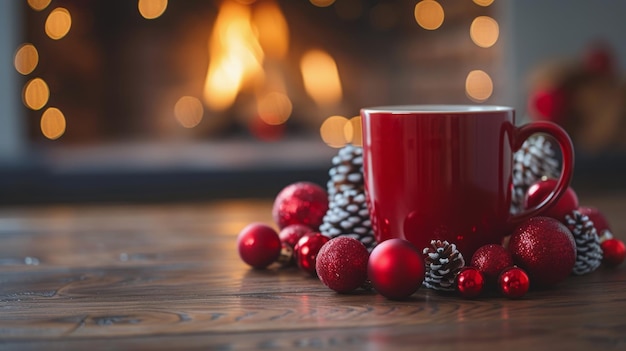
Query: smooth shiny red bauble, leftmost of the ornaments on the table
[258,245]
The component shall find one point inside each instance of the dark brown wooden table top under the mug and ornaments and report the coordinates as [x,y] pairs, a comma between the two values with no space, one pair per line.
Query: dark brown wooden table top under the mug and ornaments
[167,276]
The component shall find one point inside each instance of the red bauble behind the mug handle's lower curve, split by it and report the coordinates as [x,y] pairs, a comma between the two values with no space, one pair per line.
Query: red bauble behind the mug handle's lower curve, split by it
[539,191]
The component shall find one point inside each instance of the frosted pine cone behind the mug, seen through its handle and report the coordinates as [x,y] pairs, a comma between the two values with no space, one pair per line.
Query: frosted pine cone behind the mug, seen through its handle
[535,159]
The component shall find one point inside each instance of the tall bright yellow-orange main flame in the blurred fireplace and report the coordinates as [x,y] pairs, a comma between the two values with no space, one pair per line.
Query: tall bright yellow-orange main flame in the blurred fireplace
[235,56]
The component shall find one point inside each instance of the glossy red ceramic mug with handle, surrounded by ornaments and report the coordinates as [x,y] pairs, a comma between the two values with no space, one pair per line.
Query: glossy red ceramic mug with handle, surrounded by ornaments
[445,172]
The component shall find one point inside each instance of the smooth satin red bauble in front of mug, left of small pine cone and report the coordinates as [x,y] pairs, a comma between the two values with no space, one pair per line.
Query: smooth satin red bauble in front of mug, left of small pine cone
[396,269]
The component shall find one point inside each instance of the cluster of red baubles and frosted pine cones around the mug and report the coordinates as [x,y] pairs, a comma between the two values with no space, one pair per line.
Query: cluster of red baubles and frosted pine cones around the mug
[328,234]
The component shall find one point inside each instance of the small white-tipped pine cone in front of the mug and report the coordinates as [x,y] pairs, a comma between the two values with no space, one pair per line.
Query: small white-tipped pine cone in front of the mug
[443,262]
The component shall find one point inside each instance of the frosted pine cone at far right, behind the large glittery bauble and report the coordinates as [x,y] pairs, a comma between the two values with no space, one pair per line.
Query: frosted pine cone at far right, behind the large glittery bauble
[588,249]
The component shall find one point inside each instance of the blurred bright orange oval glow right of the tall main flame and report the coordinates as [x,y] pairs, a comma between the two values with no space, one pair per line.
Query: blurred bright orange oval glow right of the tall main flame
[321,78]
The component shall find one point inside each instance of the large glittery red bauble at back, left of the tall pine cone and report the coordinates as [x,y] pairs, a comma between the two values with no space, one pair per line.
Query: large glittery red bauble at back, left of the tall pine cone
[300,203]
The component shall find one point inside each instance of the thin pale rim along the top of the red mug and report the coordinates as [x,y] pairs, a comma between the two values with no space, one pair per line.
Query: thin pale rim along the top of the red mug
[443,109]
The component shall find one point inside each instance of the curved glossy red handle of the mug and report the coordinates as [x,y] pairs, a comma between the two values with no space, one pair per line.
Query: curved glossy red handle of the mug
[567,170]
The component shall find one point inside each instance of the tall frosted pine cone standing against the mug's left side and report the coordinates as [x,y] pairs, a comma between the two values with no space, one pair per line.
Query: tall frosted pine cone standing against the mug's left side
[347,213]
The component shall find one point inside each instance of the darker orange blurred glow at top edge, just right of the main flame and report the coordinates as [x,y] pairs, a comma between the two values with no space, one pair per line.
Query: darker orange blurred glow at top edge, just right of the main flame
[272,29]
